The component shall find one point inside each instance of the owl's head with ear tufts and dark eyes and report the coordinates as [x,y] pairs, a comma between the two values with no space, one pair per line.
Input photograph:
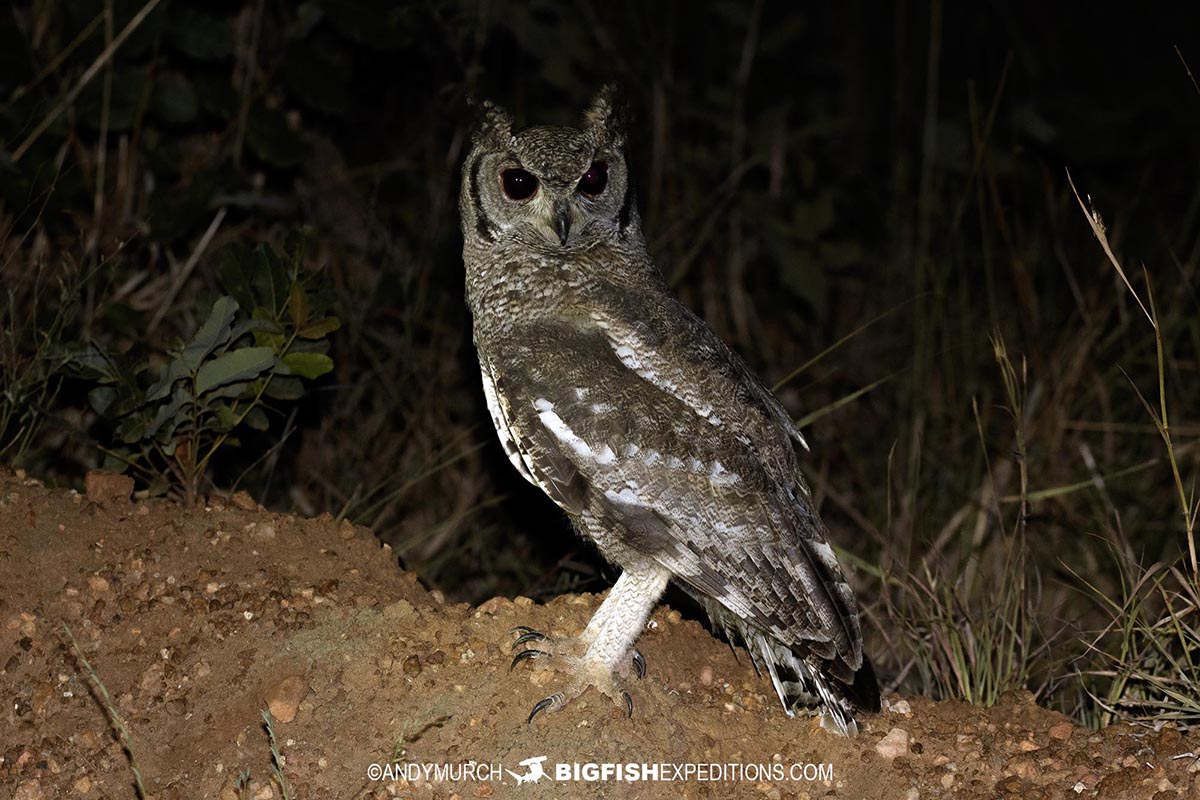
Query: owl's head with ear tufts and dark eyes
[549,188]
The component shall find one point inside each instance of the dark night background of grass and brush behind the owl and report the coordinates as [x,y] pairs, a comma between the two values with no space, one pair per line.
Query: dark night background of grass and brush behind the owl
[889,181]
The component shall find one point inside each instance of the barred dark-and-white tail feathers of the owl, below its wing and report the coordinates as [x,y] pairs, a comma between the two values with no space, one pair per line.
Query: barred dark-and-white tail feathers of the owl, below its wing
[803,681]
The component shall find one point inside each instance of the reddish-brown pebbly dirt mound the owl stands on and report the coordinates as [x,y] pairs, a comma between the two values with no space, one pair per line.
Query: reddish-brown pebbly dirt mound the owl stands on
[195,621]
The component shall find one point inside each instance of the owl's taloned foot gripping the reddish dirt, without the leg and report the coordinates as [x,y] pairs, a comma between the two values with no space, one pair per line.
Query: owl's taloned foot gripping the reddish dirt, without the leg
[571,655]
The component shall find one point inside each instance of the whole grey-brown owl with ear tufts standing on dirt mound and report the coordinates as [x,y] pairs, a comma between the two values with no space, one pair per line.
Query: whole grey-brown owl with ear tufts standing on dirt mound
[656,438]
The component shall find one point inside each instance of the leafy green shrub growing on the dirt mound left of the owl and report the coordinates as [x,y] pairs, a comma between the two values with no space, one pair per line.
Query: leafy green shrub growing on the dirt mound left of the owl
[259,346]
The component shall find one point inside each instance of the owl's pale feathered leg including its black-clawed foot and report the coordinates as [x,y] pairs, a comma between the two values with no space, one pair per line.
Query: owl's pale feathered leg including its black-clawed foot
[607,642]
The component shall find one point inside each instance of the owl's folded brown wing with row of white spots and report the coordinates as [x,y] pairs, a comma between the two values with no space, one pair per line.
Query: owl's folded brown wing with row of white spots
[685,456]
